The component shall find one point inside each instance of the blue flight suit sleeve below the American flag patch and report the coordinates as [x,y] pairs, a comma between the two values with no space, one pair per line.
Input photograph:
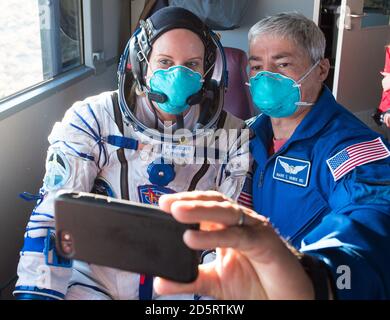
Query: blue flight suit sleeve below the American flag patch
[353,240]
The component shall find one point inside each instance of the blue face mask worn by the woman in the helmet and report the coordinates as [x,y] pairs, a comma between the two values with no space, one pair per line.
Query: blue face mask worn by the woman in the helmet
[178,83]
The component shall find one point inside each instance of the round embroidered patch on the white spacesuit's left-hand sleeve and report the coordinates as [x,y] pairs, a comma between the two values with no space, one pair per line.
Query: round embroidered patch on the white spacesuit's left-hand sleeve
[57,170]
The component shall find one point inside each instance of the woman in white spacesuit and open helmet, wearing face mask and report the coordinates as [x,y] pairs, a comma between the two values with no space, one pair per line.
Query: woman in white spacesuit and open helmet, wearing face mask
[146,139]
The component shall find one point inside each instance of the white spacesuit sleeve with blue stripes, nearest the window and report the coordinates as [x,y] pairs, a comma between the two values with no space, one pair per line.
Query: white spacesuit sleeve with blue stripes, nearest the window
[72,163]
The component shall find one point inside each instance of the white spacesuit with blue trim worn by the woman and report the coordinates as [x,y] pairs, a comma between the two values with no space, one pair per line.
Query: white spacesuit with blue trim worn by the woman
[98,148]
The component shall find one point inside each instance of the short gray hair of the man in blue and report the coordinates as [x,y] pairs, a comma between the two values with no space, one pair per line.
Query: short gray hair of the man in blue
[295,26]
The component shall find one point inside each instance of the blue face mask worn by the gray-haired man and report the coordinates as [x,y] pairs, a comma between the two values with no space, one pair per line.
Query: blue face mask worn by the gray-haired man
[276,95]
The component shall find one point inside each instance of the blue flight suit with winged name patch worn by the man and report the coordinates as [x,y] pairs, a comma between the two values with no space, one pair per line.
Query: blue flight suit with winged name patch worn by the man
[344,222]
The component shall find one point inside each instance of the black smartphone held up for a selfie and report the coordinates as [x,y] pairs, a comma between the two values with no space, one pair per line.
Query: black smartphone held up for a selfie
[124,235]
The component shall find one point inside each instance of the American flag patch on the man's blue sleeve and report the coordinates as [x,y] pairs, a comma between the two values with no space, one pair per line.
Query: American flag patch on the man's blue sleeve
[356,155]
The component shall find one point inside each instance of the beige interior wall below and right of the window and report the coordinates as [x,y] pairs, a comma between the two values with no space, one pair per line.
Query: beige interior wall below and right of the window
[23,141]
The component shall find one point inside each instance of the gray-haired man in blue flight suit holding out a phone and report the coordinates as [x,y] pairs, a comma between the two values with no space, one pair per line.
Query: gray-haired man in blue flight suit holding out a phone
[321,187]
